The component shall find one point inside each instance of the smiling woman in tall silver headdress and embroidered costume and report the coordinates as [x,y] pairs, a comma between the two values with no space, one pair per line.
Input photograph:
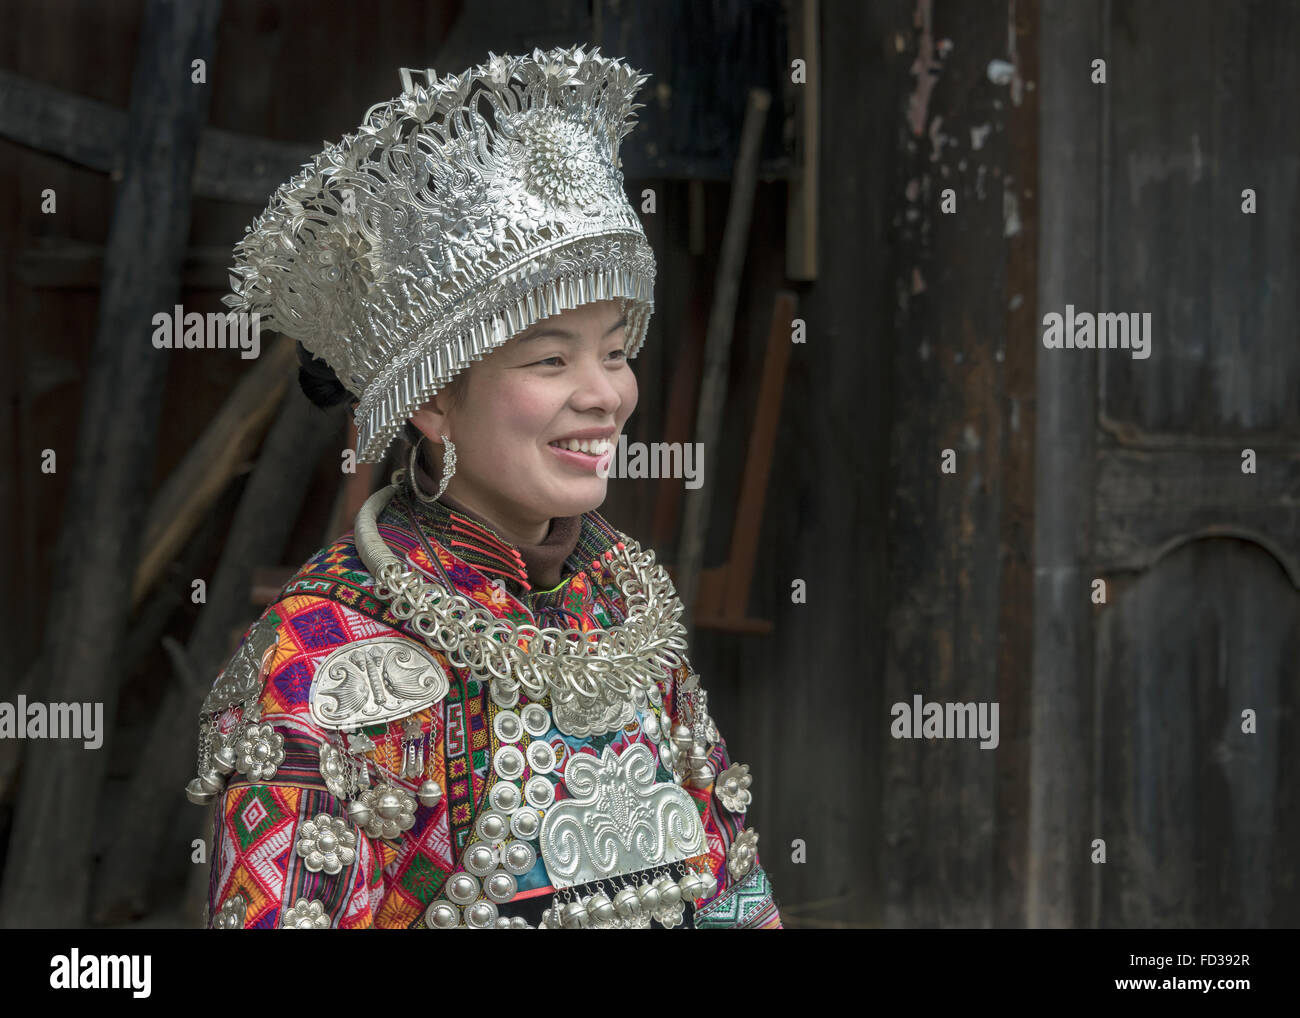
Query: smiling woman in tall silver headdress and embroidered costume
[474,711]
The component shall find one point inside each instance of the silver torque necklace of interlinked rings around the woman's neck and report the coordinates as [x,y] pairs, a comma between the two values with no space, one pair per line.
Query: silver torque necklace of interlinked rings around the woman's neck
[592,668]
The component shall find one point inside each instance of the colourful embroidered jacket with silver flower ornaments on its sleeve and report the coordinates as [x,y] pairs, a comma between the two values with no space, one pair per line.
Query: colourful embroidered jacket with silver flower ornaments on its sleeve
[287,852]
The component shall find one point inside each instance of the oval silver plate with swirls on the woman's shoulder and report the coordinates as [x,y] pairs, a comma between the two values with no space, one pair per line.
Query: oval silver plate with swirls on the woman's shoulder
[376,681]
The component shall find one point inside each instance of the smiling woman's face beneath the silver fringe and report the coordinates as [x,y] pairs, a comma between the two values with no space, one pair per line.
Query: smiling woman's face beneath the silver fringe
[539,388]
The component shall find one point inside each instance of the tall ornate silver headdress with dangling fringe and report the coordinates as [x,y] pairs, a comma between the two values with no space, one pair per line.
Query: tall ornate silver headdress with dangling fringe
[435,235]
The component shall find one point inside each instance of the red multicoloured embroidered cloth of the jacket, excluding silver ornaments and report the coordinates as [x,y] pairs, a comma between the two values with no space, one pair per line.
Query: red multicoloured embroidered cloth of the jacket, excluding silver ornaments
[330,604]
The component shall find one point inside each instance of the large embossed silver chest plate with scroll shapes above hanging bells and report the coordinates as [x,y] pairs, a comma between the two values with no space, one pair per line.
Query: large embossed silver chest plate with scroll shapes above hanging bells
[618,820]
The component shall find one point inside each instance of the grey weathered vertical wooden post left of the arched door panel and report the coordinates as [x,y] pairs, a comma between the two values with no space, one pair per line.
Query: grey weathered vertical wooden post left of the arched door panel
[1059,877]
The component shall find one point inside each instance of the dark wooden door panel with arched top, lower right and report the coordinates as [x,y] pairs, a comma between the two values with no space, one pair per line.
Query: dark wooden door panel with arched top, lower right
[1190,805]
